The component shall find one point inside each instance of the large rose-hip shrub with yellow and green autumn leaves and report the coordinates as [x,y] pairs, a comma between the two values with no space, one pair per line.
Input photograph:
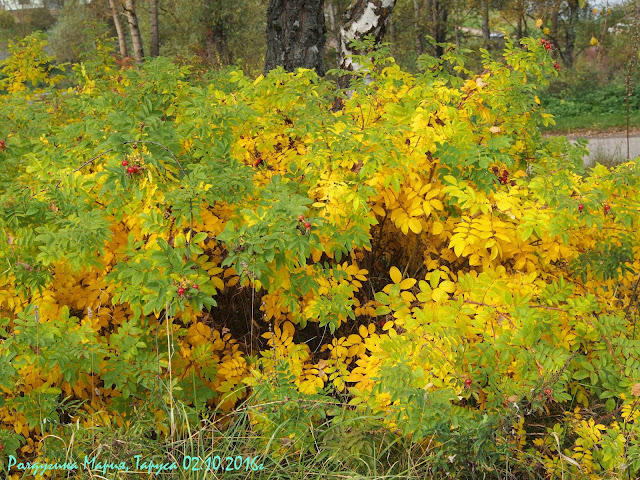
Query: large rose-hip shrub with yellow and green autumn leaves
[411,252]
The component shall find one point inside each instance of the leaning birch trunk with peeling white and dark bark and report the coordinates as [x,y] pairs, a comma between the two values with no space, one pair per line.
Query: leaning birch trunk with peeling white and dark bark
[364,17]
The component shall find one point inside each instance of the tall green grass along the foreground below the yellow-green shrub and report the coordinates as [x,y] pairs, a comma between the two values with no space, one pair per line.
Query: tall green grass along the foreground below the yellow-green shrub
[361,454]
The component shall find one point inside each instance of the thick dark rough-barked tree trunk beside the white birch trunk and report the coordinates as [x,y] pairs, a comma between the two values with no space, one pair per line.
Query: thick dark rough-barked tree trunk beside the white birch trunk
[295,35]
